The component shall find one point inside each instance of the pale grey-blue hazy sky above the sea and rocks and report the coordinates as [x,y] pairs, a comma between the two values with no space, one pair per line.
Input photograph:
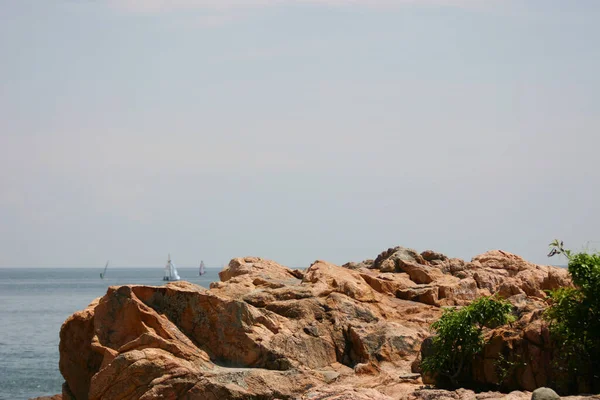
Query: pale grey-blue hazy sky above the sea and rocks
[295,130]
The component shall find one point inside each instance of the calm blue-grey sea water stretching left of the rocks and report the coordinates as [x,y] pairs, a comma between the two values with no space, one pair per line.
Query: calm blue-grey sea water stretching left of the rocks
[34,302]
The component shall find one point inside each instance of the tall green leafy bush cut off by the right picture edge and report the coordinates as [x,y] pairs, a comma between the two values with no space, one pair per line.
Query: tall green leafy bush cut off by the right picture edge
[574,319]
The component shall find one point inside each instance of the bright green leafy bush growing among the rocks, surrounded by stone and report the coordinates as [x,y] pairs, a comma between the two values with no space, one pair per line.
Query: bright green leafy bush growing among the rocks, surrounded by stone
[459,336]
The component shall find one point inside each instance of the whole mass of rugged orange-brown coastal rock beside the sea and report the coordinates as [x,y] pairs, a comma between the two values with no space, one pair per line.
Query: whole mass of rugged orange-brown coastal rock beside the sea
[329,332]
